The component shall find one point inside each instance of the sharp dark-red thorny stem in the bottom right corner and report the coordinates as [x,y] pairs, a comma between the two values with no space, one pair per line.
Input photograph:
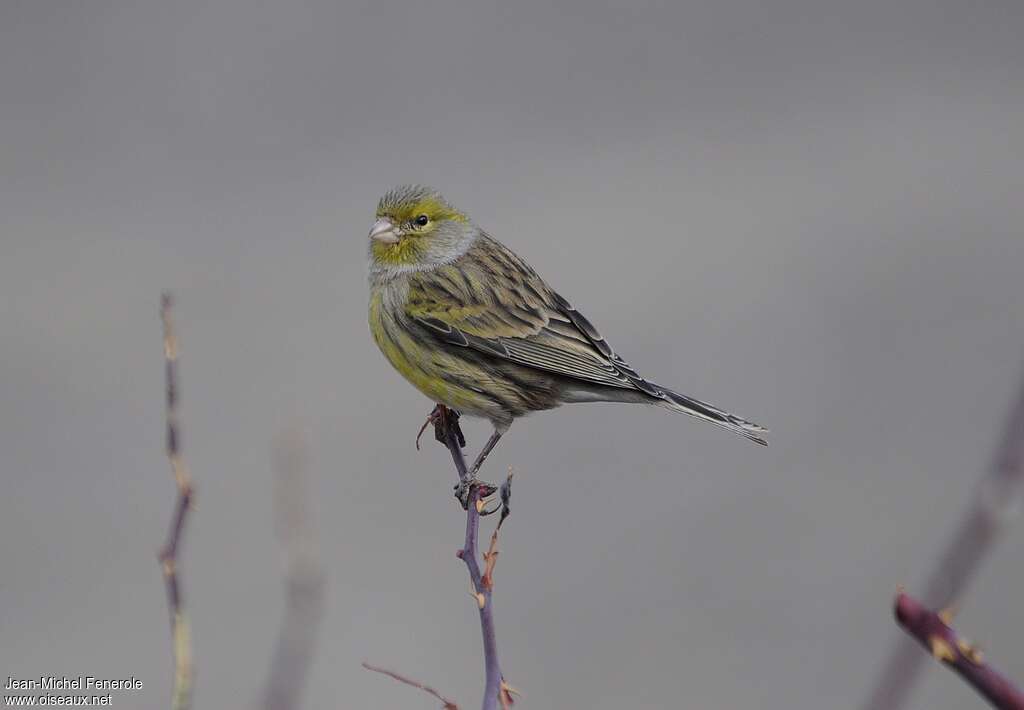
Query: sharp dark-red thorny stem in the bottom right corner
[933,633]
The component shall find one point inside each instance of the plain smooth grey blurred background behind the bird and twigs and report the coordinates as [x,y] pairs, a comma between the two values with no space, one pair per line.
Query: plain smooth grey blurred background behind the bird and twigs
[808,213]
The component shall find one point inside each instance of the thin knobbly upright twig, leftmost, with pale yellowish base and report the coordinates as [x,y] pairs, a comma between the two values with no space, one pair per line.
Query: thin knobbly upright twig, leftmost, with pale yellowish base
[183,689]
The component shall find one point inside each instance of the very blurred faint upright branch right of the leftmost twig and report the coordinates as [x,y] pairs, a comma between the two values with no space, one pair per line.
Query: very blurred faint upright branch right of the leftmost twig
[305,580]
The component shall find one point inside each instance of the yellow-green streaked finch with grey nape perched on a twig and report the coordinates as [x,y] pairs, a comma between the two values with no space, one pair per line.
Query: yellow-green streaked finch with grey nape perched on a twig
[474,327]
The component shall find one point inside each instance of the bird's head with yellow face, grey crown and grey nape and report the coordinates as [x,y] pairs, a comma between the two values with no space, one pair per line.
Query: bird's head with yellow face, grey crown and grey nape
[418,229]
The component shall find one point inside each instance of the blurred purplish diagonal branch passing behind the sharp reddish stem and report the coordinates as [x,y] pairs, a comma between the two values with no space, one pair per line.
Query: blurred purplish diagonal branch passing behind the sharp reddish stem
[996,503]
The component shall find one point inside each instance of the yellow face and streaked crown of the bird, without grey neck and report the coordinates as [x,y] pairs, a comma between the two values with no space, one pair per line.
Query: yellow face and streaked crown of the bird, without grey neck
[408,222]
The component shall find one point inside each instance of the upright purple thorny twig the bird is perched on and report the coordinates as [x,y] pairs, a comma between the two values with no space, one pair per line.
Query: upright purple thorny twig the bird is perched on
[449,433]
